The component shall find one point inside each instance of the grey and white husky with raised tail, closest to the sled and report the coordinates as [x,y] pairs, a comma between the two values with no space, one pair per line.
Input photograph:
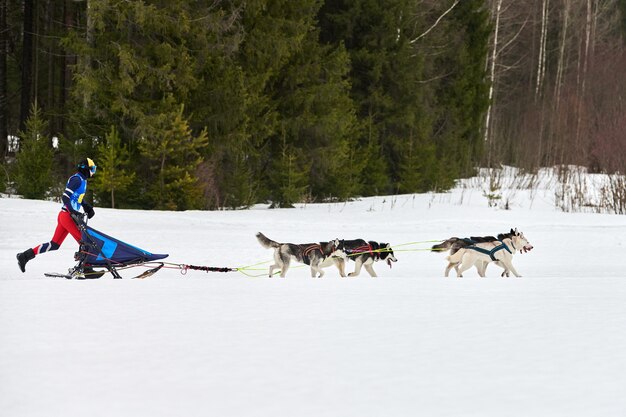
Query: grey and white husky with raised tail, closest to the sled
[317,255]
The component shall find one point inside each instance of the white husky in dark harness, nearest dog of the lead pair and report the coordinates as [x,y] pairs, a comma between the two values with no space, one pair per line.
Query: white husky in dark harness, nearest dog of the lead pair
[480,254]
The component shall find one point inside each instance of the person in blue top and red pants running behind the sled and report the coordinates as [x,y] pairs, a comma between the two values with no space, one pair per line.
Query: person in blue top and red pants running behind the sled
[72,202]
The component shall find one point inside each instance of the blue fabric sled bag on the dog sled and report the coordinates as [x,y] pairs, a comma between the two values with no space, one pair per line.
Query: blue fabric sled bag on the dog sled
[106,249]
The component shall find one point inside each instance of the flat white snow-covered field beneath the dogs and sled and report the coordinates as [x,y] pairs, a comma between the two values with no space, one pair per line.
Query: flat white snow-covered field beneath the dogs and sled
[409,343]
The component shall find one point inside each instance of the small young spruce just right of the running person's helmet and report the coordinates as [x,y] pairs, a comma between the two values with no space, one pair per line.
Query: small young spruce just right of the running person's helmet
[113,162]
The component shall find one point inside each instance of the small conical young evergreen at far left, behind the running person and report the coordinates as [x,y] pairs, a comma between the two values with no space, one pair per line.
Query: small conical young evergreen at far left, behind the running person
[34,161]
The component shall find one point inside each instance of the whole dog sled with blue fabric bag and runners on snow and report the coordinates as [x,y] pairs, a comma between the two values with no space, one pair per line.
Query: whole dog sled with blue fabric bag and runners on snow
[100,253]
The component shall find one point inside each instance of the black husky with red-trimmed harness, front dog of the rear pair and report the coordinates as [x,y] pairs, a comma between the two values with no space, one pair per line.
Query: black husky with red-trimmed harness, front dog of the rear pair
[364,254]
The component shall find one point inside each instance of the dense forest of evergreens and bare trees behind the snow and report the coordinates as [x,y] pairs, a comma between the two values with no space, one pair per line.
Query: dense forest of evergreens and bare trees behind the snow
[223,104]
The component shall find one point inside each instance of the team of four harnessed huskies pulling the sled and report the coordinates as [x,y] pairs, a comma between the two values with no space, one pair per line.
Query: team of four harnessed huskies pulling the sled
[463,254]
